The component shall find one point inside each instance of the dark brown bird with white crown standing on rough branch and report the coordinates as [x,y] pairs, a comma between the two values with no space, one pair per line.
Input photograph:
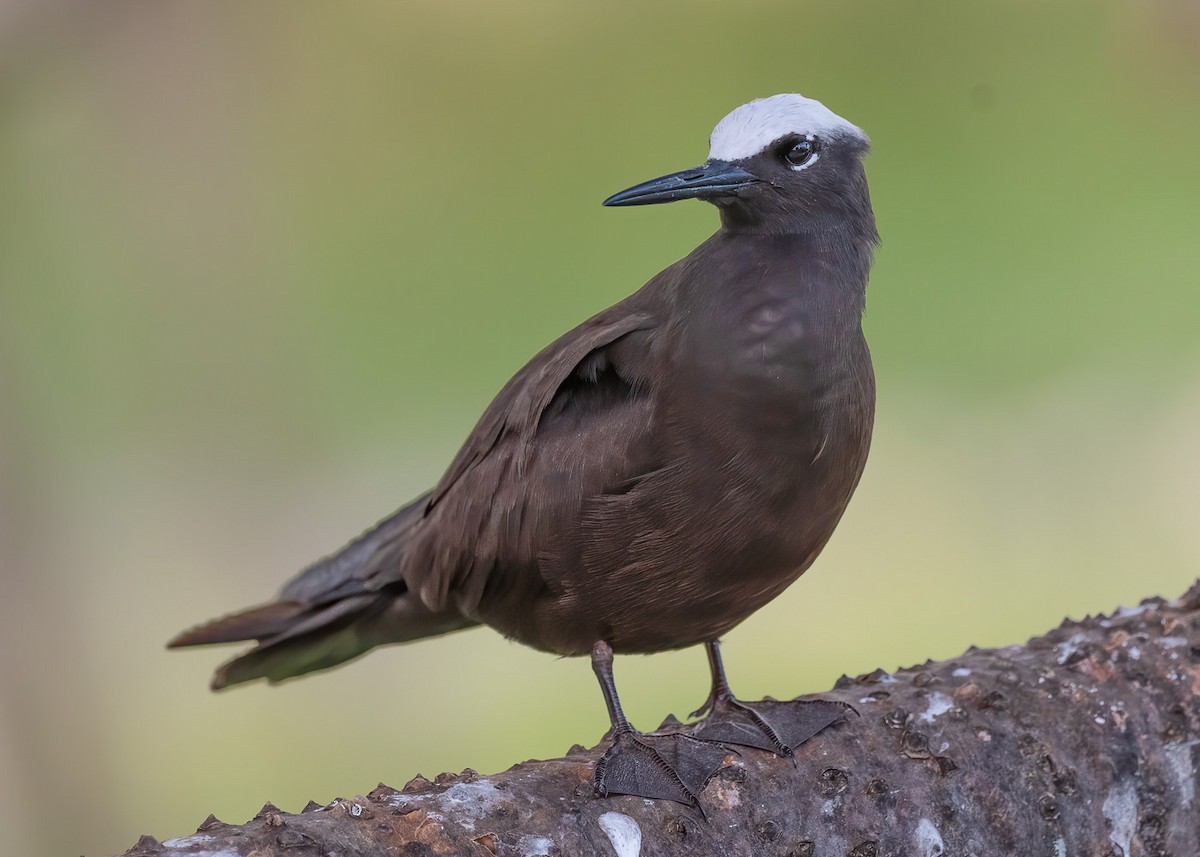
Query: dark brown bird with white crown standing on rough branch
[651,478]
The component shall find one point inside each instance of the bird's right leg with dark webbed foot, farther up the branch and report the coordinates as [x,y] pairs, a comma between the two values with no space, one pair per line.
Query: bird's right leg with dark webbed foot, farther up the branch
[767,724]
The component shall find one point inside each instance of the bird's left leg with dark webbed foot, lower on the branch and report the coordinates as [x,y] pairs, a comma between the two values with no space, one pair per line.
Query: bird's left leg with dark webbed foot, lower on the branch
[670,768]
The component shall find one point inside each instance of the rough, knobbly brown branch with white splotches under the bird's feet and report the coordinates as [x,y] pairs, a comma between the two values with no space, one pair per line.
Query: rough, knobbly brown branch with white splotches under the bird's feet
[1084,742]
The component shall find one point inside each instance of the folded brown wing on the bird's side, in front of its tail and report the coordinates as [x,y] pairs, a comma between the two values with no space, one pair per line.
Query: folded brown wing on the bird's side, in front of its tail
[505,488]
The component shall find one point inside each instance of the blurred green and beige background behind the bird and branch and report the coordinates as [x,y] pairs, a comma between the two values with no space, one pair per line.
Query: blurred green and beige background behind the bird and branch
[263,265]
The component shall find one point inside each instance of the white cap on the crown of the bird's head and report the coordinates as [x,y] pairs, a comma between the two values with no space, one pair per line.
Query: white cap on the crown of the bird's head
[752,128]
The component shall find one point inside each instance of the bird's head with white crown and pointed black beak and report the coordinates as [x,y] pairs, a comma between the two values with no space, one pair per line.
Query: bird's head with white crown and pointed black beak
[777,164]
